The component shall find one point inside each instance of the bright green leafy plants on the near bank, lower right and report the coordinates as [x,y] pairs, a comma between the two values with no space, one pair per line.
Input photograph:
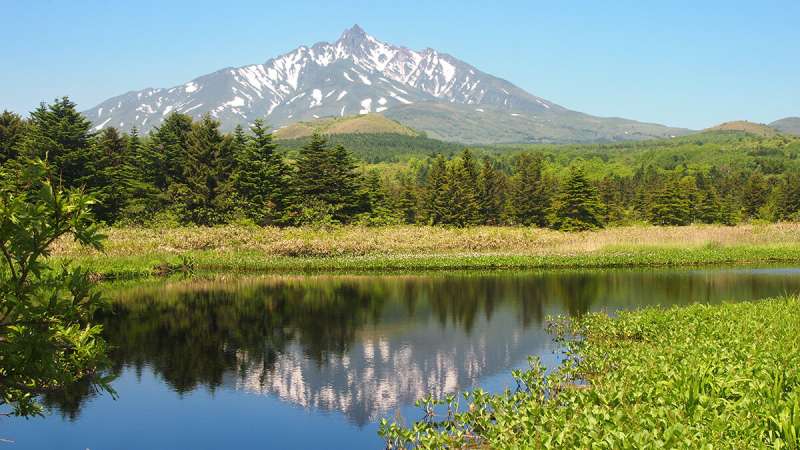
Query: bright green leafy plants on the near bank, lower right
[723,376]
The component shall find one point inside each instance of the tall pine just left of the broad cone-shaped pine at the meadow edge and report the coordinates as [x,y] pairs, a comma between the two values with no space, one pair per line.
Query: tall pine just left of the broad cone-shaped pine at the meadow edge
[529,199]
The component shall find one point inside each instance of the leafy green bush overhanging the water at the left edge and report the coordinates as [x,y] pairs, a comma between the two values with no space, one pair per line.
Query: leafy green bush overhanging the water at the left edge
[46,339]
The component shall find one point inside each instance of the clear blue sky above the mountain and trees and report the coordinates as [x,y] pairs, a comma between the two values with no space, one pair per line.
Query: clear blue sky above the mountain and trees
[681,63]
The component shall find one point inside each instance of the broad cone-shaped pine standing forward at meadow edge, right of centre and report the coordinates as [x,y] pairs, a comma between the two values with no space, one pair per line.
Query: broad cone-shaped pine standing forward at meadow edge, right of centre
[577,206]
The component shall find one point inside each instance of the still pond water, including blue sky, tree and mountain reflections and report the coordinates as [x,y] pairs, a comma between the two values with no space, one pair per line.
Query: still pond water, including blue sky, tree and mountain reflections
[312,362]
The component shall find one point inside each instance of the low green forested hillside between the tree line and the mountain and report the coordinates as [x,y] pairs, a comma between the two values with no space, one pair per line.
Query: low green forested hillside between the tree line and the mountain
[772,154]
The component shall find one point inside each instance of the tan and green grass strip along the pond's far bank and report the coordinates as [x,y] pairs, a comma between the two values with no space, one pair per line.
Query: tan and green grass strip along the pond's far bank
[137,252]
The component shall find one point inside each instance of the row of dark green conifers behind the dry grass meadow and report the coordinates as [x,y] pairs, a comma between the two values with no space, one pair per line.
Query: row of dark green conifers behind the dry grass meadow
[189,172]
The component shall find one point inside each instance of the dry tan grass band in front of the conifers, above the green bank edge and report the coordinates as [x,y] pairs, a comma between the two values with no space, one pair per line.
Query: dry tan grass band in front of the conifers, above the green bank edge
[429,241]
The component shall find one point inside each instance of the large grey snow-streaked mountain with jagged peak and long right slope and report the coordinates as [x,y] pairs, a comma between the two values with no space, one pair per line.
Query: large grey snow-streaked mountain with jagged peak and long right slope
[358,74]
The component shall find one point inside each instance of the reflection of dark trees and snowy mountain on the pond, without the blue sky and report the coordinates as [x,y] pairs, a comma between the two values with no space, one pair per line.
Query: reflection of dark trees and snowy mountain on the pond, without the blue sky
[366,345]
